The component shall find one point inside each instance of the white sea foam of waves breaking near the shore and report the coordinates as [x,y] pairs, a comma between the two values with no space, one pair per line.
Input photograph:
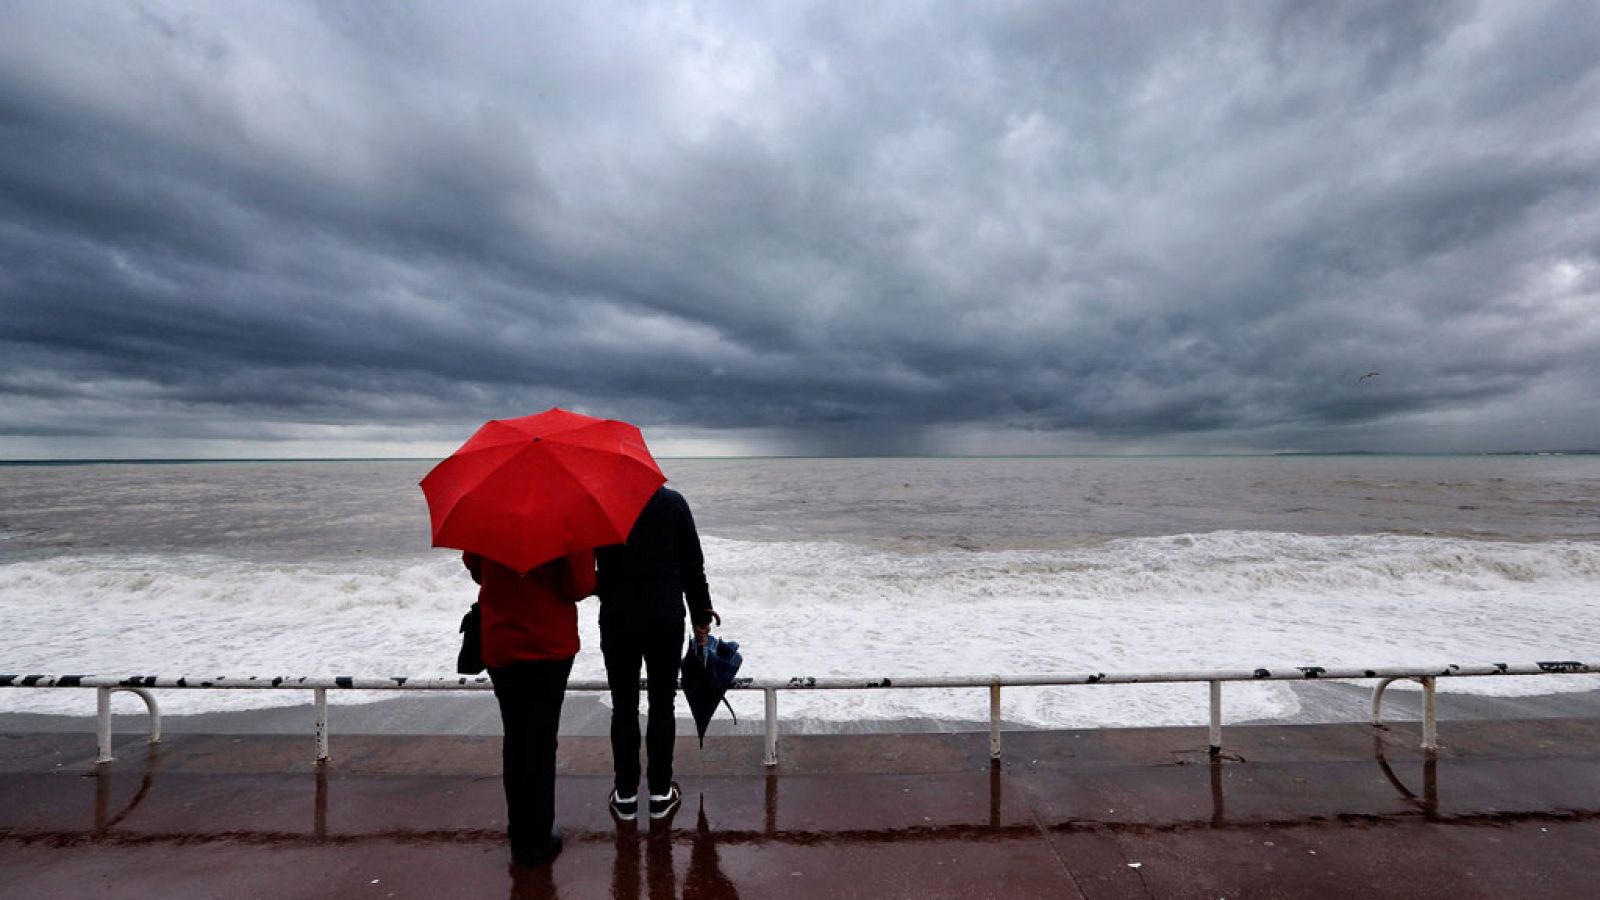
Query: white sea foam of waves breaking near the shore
[1222,600]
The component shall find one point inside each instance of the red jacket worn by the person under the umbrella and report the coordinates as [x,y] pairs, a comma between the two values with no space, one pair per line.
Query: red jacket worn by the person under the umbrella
[535,616]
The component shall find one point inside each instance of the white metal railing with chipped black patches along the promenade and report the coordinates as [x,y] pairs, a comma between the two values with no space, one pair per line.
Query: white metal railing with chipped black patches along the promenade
[321,686]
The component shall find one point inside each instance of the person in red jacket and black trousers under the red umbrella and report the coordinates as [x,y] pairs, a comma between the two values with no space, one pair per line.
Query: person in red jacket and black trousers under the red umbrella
[530,638]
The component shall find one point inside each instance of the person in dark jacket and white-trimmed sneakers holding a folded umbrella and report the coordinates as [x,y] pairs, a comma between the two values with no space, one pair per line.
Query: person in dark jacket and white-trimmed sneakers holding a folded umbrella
[646,587]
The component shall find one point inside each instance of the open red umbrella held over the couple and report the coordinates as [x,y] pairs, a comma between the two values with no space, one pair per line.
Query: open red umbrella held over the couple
[532,489]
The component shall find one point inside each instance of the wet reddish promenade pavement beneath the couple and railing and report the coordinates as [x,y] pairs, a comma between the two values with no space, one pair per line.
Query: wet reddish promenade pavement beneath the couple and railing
[1508,808]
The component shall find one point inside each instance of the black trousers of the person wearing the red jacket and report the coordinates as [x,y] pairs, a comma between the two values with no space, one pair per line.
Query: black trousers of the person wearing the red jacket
[530,697]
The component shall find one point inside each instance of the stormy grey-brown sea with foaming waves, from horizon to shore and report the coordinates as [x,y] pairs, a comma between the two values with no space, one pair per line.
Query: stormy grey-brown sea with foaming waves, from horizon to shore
[844,568]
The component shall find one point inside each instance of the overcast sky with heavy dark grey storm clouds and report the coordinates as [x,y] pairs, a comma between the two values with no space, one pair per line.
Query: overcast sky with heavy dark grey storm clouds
[814,228]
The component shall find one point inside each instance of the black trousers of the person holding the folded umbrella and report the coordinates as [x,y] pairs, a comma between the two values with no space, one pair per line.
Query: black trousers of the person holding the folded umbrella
[660,649]
